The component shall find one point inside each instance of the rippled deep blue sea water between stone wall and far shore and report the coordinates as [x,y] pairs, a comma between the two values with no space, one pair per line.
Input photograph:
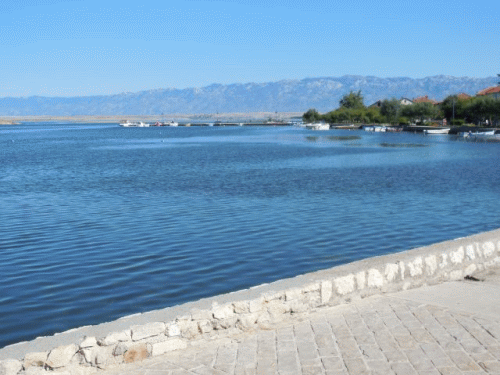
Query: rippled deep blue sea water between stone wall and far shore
[98,221]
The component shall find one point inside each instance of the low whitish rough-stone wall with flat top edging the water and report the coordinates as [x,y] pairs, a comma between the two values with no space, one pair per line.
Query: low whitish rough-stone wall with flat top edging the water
[269,304]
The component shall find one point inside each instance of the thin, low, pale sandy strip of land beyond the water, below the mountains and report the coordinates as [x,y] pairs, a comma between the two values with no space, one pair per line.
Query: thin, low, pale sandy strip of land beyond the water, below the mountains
[11,120]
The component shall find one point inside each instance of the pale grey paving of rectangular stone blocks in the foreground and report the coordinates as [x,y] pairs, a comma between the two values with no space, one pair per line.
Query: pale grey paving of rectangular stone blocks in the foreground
[378,335]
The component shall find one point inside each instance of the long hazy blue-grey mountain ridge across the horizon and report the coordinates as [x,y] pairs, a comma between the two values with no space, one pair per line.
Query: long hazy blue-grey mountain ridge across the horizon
[322,93]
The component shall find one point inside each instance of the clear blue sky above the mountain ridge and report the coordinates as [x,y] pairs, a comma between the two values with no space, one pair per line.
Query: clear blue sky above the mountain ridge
[90,47]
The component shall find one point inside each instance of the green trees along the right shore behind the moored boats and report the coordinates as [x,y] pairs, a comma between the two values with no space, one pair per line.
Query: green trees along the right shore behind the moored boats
[456,110]
